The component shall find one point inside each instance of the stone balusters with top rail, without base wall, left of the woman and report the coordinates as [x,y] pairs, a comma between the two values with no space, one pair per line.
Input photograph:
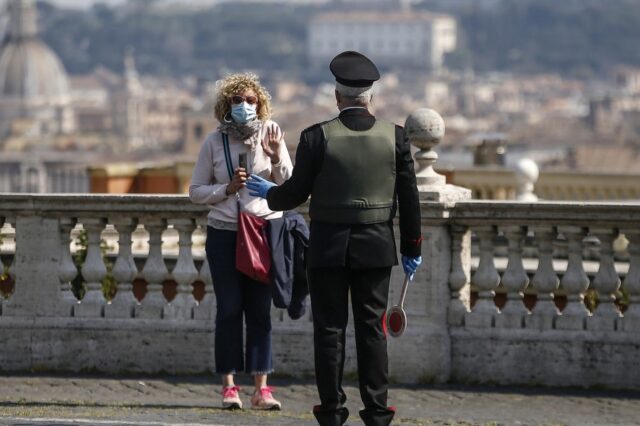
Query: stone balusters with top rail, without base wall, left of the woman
[43,227]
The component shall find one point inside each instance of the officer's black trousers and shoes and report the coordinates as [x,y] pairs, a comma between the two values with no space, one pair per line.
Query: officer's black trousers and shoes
[329,288]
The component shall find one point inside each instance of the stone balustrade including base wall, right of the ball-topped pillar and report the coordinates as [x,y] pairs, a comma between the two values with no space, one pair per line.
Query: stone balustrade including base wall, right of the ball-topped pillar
[545,345]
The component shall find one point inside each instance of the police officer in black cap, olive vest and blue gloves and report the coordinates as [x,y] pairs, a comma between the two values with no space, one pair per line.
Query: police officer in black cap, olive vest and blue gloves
[358,171]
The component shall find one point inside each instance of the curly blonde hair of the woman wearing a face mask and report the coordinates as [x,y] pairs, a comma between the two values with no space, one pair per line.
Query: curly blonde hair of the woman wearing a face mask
[238,83]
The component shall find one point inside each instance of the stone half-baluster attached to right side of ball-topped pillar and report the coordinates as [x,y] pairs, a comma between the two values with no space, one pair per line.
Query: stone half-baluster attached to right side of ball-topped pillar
[459,275]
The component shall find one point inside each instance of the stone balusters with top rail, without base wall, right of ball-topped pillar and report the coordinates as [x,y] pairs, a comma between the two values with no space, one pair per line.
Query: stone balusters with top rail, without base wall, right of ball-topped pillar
[549,224]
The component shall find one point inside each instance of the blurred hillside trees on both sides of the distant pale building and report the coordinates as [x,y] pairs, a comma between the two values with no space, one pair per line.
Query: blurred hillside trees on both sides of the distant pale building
[574,37]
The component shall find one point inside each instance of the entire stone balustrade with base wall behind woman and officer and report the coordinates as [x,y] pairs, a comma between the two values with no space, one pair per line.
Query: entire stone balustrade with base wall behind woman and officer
[44,326]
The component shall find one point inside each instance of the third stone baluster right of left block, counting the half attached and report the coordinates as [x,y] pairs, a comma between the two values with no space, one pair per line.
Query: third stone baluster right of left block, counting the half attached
[124,272]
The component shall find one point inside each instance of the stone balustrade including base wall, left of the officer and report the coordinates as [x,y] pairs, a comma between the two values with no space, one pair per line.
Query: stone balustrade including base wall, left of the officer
[47,327]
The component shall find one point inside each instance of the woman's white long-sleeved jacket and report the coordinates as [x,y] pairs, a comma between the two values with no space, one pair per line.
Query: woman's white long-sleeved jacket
[210,178]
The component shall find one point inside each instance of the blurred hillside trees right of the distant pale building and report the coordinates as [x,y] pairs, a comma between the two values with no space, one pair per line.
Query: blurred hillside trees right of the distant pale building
[581,38]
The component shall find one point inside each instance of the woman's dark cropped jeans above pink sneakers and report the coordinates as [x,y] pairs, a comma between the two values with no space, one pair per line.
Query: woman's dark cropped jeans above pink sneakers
[237,294]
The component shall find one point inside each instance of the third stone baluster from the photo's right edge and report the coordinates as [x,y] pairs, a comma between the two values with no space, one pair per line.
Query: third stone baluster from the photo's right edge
[574,281]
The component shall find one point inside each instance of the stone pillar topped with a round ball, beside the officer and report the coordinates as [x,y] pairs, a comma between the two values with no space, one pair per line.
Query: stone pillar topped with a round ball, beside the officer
[425,348]
